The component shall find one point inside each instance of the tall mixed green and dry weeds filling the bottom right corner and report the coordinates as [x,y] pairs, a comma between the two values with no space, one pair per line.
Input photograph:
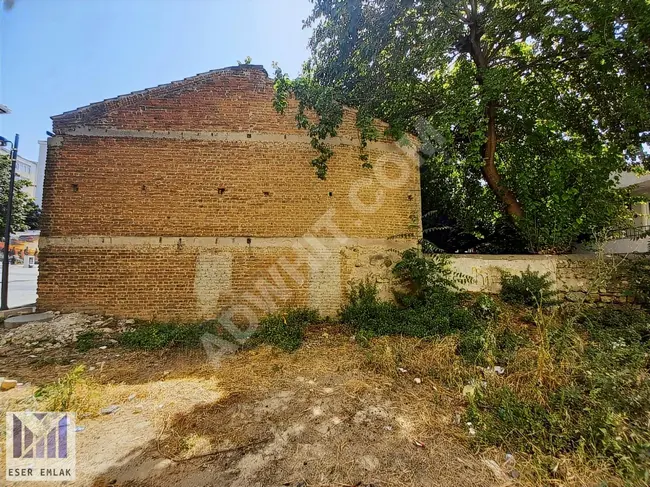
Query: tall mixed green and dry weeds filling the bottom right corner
[580,389]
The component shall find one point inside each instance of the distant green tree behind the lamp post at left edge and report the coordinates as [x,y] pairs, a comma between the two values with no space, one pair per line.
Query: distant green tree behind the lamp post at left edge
[25,212]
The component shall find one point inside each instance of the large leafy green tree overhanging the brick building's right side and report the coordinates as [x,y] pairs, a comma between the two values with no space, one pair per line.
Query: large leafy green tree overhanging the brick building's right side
[534,103]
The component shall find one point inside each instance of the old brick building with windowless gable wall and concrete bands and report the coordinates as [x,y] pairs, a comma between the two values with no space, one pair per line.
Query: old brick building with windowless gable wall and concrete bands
[196,198]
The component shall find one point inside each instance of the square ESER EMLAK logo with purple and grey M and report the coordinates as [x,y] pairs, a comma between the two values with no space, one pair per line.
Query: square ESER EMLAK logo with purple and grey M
[40,446]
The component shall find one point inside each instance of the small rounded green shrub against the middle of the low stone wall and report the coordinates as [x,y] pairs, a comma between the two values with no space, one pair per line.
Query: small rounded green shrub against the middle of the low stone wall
[530,288]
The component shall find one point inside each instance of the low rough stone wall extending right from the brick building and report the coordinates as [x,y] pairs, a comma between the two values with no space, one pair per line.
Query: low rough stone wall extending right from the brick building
[576,277]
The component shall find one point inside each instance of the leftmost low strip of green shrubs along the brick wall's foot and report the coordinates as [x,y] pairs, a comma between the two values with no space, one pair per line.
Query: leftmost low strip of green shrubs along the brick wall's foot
[154,336]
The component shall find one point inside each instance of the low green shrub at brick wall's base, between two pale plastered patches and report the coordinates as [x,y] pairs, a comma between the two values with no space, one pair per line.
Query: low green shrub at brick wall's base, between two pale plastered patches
[284,329]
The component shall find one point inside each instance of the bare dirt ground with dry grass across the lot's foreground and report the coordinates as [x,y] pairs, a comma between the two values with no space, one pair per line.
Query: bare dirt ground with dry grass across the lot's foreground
[318,417]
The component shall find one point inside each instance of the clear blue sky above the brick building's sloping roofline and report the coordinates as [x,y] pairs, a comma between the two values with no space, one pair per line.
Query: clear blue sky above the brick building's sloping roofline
[57,55]
